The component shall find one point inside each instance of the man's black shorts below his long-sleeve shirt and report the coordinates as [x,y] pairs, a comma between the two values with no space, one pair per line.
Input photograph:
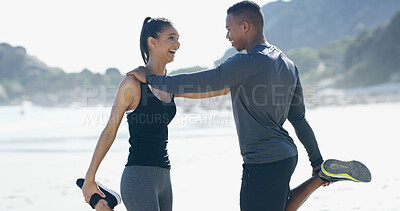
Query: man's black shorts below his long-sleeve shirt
[265,187]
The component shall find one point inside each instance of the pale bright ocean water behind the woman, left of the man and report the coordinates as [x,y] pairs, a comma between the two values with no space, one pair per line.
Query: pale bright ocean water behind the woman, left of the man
[77,129]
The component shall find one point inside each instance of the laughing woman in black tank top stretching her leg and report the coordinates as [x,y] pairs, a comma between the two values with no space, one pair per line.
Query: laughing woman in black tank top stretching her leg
[145,183]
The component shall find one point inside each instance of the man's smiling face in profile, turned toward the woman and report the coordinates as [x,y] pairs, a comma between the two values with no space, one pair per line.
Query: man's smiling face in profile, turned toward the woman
[235,33]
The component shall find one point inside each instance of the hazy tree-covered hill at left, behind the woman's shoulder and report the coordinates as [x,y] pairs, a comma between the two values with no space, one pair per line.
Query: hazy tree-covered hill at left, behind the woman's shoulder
[25,78]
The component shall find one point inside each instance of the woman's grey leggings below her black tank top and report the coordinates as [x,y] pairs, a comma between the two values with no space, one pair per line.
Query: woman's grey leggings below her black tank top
[146,188]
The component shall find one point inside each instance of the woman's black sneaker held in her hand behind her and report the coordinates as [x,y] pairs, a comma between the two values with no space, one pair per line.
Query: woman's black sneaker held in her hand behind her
[112,197]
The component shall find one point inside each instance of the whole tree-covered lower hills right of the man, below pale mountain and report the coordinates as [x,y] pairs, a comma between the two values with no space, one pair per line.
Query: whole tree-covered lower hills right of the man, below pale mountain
[368,59]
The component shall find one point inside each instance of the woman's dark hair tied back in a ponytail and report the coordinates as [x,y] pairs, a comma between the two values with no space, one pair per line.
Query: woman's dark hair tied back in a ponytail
[151,28]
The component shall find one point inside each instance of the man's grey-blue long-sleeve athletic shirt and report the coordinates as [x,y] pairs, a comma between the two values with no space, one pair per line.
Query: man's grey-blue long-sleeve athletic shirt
[265,91]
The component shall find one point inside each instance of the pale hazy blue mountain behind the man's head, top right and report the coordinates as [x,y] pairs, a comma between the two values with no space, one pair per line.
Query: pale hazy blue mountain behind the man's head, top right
[315,23]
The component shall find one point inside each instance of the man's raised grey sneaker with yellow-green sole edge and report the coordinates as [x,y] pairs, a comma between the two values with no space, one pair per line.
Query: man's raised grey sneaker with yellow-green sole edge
[335,170]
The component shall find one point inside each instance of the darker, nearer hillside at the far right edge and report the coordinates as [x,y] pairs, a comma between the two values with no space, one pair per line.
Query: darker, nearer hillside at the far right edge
[374,56]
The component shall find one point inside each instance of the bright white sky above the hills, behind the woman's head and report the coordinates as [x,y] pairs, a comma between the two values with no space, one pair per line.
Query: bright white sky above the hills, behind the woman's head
[99,34]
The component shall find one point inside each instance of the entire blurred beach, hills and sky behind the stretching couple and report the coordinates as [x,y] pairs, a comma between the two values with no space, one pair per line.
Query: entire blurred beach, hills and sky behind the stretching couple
[61,63]
